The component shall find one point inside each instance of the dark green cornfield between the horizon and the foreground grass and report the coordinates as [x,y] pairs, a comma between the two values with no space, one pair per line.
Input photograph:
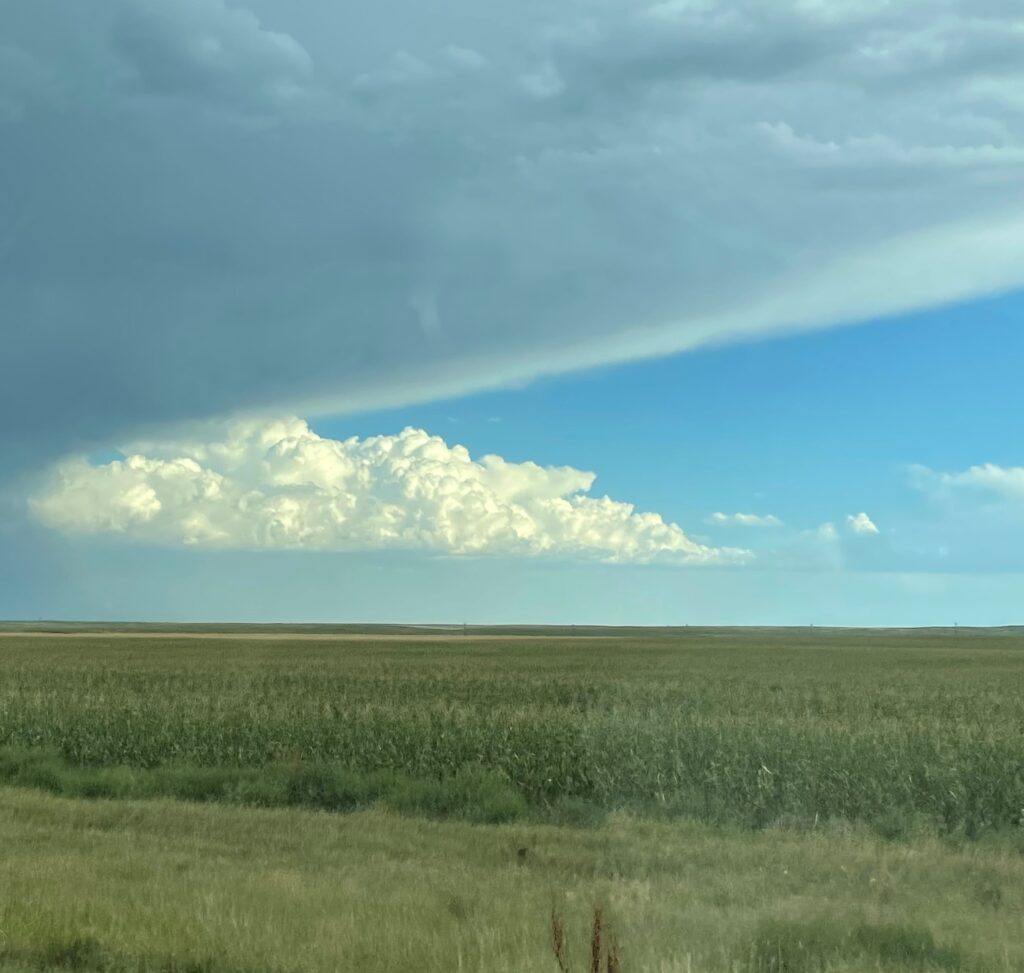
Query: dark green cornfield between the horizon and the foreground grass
[907,732]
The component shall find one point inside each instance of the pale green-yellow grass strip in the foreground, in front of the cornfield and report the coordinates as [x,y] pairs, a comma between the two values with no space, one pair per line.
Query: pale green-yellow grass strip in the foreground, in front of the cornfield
[169,886]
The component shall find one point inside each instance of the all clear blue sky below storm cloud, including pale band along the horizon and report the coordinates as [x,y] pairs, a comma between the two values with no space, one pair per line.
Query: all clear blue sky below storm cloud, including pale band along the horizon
[807,429]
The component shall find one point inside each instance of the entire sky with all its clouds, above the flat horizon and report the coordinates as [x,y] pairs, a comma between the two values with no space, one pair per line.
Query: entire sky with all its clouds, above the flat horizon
[609,312]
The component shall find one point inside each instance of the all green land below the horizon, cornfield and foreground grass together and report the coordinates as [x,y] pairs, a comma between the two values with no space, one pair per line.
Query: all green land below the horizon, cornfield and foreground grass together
[735,800]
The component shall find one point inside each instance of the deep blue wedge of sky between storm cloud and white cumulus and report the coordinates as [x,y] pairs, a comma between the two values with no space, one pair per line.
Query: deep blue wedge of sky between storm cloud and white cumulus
[805,428]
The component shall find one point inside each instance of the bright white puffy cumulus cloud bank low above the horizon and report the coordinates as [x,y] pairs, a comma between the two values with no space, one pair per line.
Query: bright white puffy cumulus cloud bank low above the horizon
[277,485]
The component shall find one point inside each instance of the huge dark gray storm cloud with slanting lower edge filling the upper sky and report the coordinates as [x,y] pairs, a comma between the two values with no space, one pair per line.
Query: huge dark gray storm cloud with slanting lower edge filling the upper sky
[209,207]
